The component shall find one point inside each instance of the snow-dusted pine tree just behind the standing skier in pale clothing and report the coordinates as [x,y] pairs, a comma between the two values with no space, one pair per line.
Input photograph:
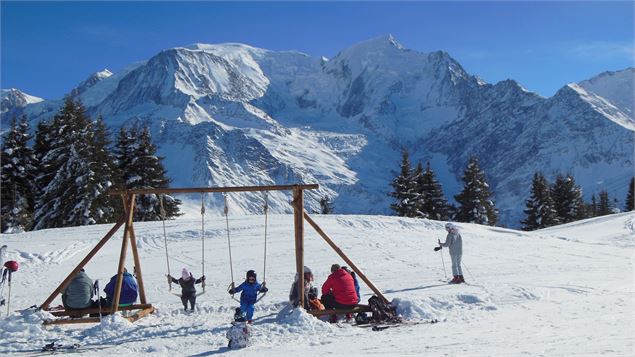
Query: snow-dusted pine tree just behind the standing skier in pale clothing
[475,203]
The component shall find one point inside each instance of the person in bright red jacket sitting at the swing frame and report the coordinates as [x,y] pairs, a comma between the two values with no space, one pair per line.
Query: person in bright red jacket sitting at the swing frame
[338,291]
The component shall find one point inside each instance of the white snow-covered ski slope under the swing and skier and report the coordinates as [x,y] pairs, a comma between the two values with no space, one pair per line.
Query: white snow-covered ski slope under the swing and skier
[563,291]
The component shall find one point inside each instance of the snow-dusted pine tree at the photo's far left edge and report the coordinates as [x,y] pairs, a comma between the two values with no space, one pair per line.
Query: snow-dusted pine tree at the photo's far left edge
[16,179]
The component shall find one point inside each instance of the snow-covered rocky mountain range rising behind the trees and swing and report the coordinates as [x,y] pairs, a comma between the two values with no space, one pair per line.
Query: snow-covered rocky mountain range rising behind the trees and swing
[232,114]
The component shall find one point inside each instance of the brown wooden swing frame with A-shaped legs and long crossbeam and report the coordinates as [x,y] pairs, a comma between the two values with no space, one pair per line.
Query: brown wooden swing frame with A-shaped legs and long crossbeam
[144,308]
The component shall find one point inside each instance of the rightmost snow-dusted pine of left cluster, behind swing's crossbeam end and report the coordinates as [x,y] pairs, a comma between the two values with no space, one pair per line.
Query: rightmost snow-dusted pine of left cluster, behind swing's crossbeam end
[142,169]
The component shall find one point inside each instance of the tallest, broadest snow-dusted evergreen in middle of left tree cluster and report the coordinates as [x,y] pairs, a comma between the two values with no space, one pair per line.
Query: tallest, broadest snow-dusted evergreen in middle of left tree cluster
[74,170]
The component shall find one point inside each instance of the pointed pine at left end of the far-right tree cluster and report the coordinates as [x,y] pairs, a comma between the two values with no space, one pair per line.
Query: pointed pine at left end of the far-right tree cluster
[540,210]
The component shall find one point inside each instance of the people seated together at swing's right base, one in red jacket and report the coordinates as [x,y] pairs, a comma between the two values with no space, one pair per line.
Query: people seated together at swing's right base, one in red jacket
[339,291]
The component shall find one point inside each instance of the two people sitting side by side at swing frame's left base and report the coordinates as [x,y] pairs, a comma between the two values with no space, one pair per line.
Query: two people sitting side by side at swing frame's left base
[79,293]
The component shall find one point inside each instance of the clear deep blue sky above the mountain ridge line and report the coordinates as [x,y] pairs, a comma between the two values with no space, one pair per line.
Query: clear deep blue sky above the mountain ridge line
[48,48]
